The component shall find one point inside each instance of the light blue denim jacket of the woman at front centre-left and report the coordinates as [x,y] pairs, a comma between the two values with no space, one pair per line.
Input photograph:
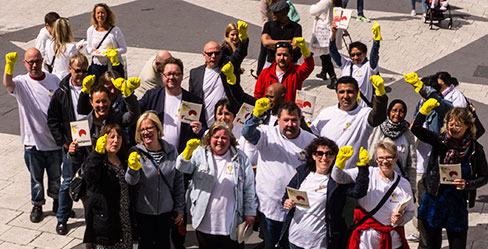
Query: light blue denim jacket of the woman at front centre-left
[201,167]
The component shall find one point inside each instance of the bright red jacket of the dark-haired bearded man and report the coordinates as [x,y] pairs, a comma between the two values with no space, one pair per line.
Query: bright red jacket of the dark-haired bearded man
[292,80]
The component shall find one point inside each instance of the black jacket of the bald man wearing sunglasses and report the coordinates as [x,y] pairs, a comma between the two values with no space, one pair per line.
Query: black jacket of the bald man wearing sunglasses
[234,93]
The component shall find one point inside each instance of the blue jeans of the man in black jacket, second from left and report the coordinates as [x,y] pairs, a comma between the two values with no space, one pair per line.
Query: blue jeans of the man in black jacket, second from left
[65,202]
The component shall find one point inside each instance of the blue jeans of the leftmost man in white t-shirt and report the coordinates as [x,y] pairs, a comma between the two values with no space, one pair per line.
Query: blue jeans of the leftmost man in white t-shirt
[37,161]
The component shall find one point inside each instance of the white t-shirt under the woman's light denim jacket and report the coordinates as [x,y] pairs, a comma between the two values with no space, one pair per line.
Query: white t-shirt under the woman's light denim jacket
[221,204]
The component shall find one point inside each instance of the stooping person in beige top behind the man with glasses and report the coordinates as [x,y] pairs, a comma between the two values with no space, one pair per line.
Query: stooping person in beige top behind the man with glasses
[150,74]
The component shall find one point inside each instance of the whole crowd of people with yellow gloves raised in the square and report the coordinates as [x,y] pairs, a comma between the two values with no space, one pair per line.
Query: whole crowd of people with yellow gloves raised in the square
[147,172]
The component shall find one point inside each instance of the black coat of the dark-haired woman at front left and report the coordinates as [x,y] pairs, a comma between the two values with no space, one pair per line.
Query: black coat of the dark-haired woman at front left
[102,204]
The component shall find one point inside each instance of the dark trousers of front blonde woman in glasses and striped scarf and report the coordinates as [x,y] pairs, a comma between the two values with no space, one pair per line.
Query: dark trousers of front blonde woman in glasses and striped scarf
[154,230]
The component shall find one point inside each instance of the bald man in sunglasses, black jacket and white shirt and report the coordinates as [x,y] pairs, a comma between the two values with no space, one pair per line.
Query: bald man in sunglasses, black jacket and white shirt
[210,84]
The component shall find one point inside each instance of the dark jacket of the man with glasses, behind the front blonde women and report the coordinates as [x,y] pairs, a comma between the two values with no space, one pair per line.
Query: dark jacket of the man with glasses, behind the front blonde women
[153,99]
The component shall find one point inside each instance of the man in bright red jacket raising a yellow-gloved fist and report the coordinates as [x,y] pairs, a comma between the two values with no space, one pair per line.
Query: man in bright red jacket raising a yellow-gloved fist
[284,71]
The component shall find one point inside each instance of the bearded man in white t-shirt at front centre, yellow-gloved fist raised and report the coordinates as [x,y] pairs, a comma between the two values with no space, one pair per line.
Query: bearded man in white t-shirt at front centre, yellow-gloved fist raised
[280,152]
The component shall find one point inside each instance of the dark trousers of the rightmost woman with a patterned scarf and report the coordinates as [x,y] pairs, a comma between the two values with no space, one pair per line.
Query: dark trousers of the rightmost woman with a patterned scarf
[433,236]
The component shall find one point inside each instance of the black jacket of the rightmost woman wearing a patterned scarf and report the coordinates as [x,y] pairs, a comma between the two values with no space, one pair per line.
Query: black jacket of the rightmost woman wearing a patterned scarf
[431,180]
